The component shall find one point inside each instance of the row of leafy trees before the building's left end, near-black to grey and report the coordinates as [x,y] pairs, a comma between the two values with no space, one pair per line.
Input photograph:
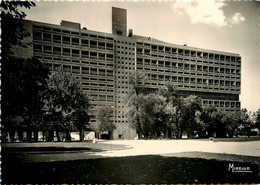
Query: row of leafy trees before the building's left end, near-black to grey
[35,99]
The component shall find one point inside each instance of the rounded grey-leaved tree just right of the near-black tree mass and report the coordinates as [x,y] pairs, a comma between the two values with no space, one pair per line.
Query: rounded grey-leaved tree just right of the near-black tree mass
[65,102]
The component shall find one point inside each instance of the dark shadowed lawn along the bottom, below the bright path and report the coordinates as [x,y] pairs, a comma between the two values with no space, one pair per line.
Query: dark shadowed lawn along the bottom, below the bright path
[134,169]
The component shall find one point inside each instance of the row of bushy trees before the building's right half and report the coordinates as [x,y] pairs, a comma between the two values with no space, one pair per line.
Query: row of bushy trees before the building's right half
[165,113]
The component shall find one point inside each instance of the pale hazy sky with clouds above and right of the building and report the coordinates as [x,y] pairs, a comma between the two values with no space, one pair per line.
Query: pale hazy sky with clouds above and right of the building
[230,26]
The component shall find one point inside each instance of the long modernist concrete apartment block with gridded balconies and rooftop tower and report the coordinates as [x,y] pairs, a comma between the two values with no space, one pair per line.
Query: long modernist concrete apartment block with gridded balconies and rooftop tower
[104,61]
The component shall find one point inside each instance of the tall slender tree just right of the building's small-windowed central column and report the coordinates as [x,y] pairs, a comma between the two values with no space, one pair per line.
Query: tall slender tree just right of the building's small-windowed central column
[135,99]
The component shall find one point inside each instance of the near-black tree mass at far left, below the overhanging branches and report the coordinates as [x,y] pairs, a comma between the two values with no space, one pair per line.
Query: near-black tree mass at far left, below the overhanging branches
[23,82]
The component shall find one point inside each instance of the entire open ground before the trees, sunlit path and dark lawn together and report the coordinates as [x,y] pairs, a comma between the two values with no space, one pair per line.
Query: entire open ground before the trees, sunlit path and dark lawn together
[131,161]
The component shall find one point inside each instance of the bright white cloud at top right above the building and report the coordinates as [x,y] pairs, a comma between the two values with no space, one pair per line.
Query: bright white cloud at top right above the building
[207,12]
